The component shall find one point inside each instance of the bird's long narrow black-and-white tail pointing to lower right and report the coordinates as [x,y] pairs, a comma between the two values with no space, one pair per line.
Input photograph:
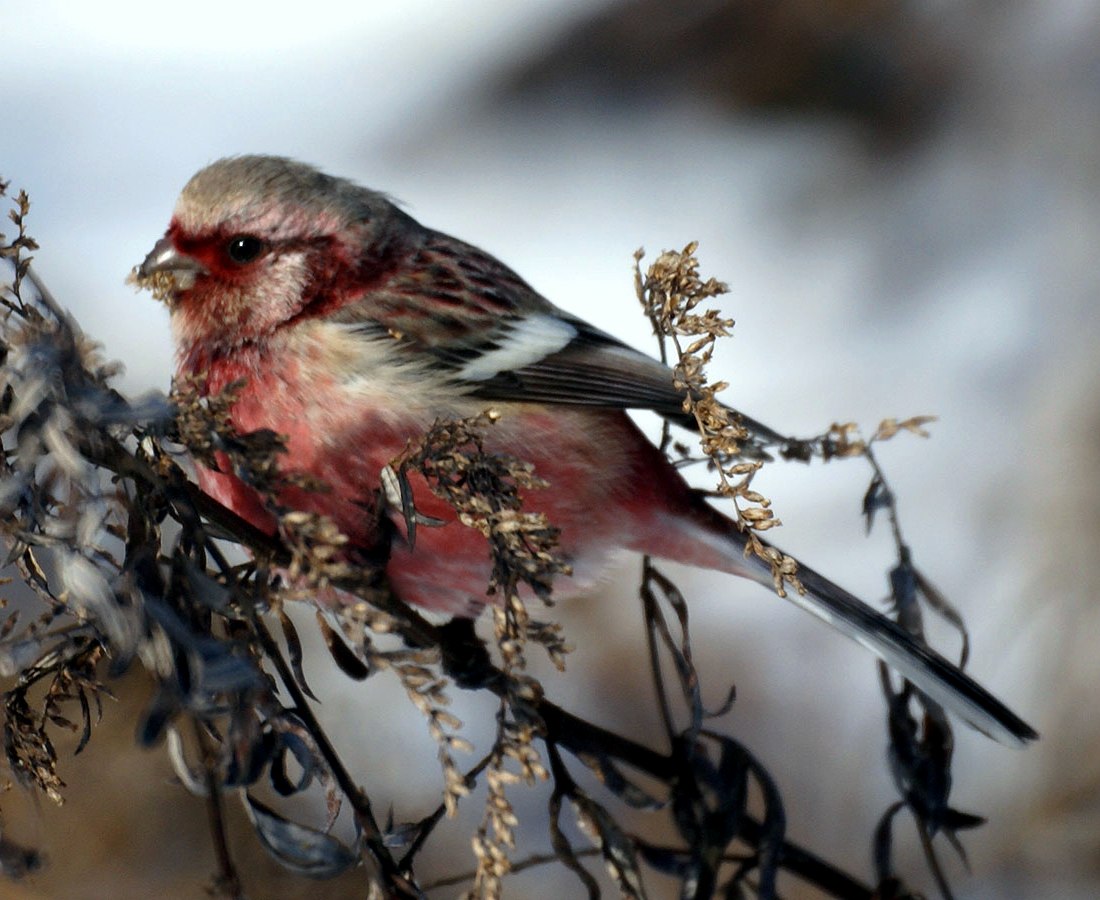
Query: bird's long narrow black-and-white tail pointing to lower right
[717,543]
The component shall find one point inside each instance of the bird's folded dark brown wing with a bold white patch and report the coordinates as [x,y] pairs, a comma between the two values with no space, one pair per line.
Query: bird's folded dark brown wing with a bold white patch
[499,339]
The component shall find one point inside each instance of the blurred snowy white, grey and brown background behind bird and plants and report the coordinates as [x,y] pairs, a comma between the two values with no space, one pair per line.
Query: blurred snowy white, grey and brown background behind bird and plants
[905,200]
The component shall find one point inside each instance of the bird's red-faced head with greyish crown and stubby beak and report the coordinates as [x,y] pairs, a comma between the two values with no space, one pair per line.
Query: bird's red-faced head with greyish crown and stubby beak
[257,243]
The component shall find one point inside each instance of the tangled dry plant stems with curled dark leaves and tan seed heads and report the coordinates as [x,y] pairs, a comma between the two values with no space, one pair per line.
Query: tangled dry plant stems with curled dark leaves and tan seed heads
[134,567]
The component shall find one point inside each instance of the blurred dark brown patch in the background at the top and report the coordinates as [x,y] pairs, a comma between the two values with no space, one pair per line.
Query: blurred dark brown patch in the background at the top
[878,63]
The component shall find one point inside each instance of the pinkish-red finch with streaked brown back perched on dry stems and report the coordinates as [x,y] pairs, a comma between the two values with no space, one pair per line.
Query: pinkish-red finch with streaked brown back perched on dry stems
[349,328]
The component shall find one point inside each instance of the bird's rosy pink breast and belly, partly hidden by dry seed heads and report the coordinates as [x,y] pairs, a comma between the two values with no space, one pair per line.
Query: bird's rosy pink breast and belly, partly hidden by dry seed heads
[606,479]
